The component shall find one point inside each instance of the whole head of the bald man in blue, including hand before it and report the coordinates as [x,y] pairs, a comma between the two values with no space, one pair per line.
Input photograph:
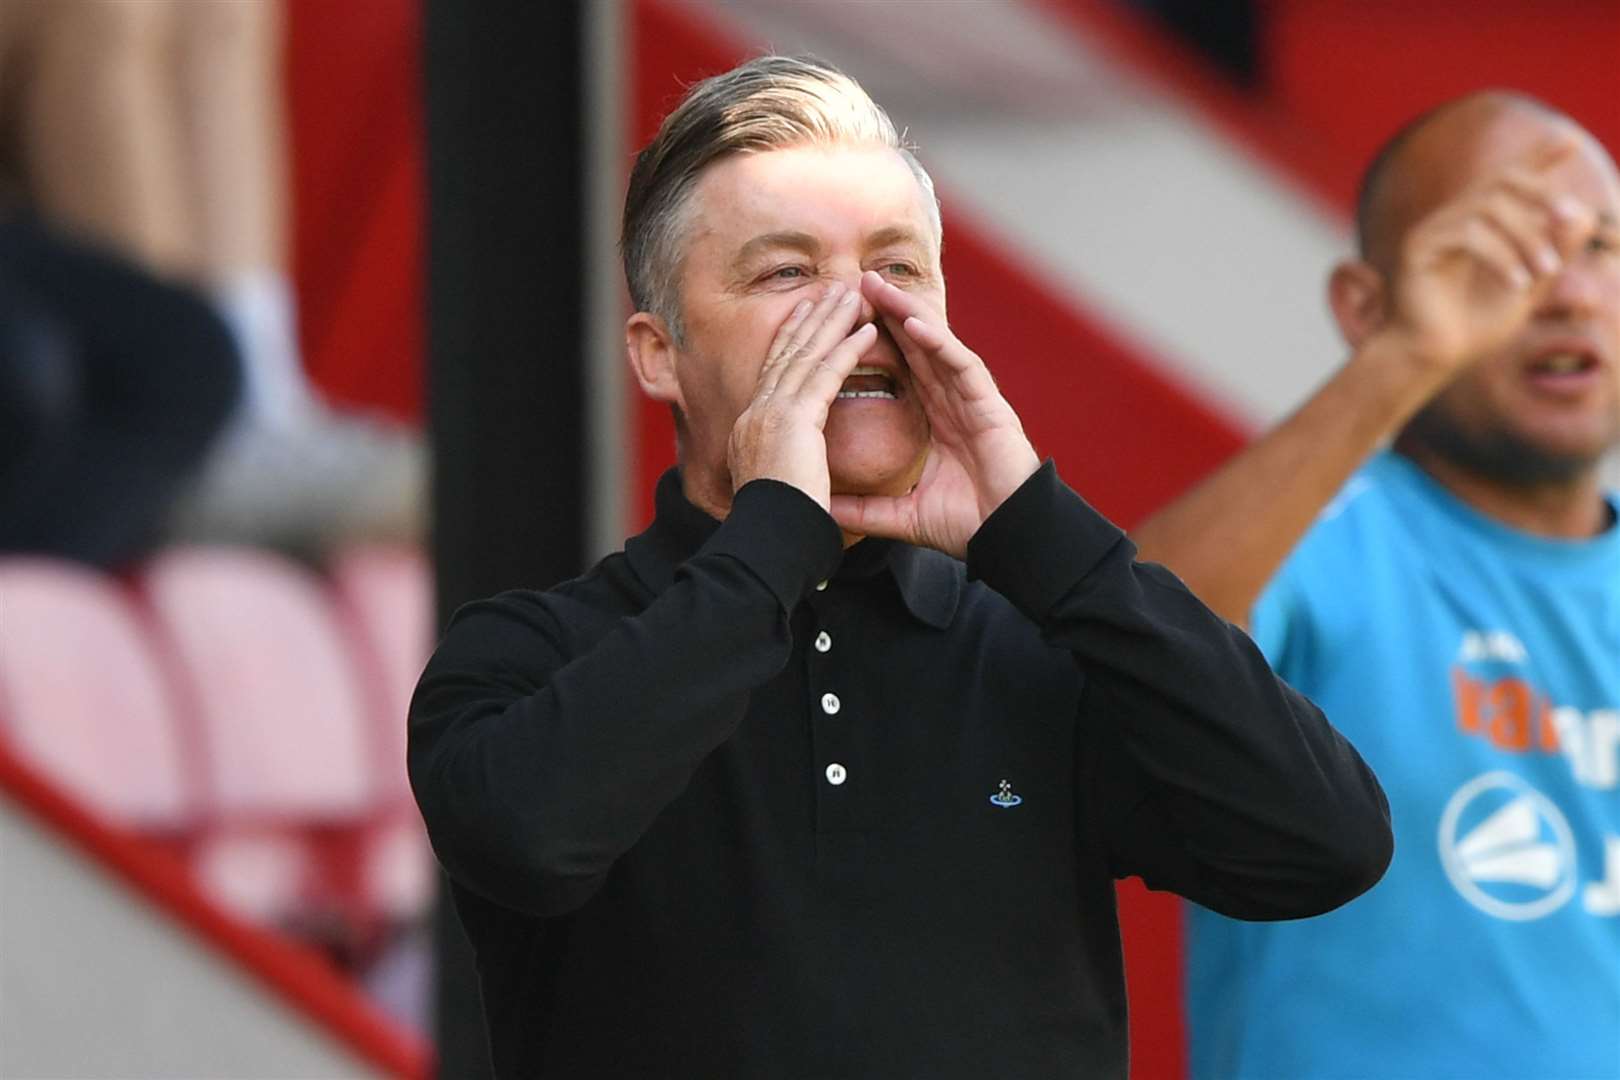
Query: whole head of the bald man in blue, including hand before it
[1493,224]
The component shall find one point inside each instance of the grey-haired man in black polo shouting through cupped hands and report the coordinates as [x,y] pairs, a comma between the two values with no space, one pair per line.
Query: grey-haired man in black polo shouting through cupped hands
[759,797]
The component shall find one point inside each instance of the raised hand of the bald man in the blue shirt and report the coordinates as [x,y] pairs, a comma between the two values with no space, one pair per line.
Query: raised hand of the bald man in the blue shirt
[1470,273]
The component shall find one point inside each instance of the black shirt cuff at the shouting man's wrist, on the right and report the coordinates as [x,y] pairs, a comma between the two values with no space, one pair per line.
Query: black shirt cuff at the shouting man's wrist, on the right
[1041,543]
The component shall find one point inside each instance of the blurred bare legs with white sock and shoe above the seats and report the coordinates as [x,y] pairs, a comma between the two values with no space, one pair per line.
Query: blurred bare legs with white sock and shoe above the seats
[156,129]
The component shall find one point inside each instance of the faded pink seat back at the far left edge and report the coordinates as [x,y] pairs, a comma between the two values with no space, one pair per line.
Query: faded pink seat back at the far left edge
[83,697]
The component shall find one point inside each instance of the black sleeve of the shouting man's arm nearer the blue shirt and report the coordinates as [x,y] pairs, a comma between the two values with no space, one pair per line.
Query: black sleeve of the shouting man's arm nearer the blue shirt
[1216,778]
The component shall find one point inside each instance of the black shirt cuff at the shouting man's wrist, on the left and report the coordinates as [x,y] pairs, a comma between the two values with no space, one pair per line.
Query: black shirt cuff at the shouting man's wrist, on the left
[782,535]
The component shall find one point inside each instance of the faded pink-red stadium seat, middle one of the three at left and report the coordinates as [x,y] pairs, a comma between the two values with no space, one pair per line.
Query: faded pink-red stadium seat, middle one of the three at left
[283,731]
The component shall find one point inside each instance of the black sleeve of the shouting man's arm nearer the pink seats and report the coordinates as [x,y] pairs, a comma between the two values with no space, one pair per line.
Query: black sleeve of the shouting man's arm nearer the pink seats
[547,738]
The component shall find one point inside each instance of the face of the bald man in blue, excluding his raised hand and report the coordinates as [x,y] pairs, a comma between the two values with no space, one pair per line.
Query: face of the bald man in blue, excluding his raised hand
[1548,406]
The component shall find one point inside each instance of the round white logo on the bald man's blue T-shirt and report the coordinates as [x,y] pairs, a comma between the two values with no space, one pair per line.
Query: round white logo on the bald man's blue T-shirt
[1507,848]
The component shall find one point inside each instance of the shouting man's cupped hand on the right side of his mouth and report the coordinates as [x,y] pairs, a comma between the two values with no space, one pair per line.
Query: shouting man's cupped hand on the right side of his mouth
[979,454]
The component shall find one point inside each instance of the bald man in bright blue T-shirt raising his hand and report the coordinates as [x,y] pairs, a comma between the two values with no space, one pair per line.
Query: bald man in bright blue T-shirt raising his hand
[1454,603]
